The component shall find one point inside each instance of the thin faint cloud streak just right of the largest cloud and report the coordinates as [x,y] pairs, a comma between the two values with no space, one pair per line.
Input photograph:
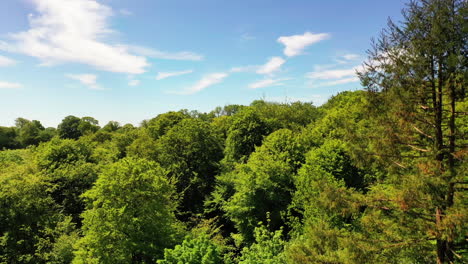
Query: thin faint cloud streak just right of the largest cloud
[157,54]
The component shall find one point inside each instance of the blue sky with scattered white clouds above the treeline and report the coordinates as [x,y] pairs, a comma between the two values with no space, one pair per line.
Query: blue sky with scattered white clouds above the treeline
[130,60]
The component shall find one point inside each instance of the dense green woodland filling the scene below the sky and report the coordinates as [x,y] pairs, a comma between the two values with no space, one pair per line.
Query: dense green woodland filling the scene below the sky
[372,176]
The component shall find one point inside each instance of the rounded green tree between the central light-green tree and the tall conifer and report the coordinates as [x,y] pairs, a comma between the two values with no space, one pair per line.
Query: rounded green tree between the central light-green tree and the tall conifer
[323,184]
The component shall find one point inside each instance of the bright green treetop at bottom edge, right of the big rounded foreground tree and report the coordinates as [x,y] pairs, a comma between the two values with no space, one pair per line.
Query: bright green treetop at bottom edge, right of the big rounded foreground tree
[199,250]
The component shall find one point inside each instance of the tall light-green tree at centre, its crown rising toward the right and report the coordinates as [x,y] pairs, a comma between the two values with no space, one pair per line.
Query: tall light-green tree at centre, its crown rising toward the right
[263,187]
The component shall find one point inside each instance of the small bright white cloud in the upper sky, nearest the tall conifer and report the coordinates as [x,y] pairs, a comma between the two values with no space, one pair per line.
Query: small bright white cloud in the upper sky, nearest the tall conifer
[294,45]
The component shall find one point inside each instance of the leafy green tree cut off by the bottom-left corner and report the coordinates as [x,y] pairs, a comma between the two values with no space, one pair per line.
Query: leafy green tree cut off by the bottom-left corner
[26,210]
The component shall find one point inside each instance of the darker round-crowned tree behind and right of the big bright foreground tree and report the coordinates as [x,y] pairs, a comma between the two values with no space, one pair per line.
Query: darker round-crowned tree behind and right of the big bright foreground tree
[191,152]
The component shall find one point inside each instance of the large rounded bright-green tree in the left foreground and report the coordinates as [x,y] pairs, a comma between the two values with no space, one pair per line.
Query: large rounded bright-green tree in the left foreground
[130,216]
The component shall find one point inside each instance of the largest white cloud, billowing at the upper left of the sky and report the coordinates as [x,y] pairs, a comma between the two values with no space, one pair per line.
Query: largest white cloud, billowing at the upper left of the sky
[73,31]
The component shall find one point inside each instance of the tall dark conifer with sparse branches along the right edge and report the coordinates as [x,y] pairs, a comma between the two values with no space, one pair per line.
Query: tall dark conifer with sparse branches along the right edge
[416,75]
